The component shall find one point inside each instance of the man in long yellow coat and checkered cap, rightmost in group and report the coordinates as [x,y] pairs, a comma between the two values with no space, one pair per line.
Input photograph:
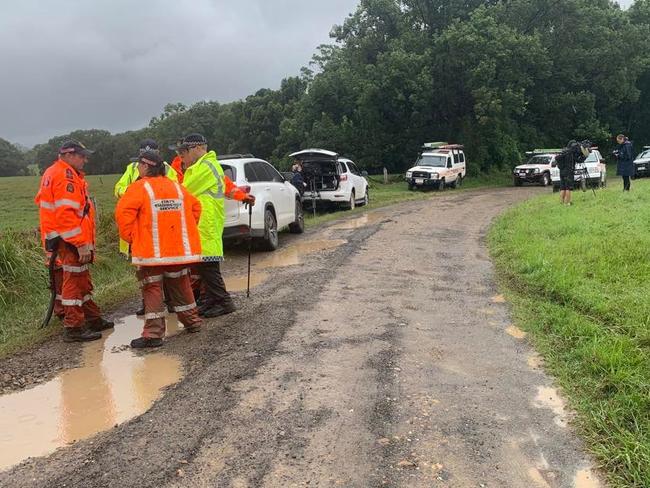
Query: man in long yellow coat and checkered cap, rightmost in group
[204,178]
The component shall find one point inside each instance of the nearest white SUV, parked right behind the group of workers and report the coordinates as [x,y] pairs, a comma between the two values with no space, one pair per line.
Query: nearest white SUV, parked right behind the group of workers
[277,202]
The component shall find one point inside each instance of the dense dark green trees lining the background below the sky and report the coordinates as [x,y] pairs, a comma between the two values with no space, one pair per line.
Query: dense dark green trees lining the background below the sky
[500,76]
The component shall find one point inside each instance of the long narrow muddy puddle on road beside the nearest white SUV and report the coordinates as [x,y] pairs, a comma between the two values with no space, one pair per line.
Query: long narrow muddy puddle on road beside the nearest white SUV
[282,258]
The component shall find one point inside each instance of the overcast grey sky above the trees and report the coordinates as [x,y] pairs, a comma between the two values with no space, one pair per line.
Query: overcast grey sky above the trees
[114,64]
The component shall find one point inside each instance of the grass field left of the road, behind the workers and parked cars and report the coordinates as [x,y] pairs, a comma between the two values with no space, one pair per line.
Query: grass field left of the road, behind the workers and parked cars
[23,276]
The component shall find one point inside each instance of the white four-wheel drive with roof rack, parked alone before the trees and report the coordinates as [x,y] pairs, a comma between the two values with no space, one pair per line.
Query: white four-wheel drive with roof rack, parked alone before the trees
[439,165]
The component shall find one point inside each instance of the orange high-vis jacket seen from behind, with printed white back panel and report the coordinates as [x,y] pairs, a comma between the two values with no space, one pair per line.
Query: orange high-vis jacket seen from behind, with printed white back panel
[158,217]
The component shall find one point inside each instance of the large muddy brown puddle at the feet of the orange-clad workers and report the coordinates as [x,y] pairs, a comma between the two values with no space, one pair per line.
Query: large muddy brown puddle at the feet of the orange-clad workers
[112,386]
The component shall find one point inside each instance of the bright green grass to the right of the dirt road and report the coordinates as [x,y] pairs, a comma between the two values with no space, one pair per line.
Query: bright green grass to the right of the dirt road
[578,278]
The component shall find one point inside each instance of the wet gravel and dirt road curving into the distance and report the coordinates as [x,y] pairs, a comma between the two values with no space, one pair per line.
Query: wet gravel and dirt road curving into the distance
[387,359]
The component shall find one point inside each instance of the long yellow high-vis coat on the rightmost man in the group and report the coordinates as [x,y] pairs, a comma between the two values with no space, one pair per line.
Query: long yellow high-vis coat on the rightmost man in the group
[205,180]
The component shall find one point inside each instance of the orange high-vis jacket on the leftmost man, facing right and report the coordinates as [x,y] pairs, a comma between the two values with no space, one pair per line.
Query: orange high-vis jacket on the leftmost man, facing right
[65,209]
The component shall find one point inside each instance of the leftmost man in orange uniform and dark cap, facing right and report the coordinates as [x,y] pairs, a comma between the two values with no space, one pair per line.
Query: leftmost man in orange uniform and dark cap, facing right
[67,224]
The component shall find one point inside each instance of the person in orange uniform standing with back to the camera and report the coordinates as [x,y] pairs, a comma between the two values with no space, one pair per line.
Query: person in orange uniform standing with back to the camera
[158,218]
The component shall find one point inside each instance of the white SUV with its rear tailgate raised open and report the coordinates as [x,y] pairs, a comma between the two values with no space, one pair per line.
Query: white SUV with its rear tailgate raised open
[331,179]
